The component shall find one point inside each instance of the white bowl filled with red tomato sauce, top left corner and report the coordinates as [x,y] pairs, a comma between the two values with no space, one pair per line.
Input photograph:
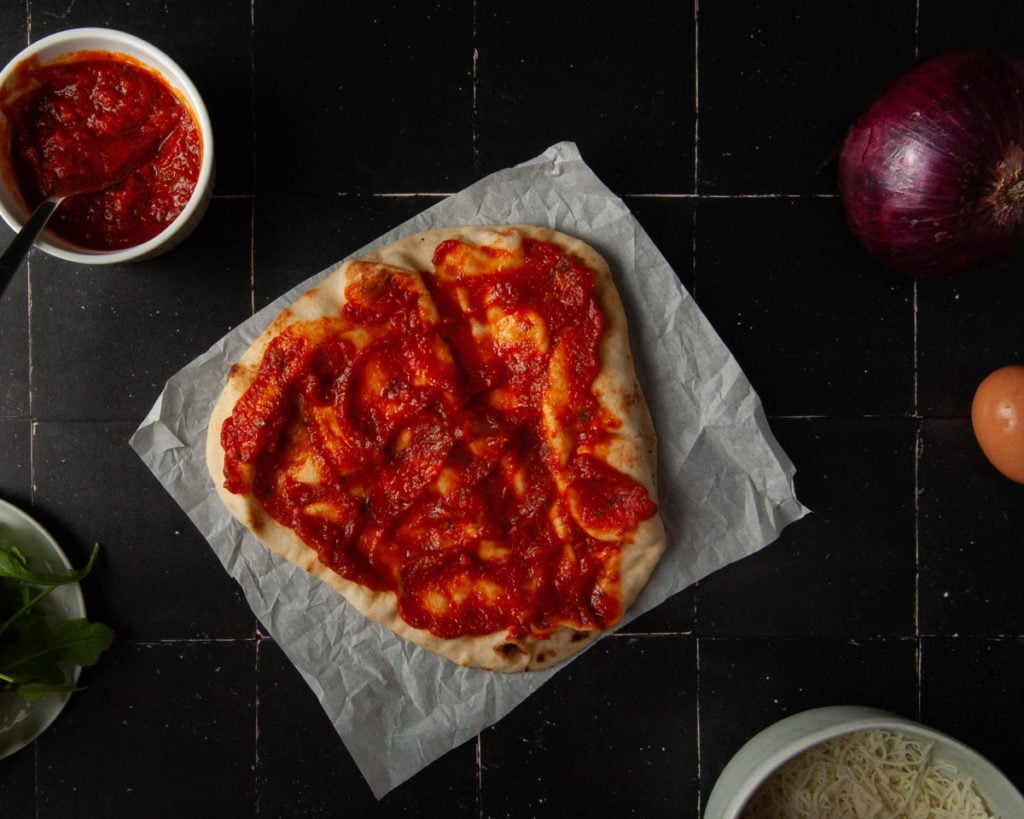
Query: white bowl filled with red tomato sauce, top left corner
[114,125]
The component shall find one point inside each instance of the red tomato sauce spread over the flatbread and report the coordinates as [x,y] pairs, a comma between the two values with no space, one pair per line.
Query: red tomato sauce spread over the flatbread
[426,442]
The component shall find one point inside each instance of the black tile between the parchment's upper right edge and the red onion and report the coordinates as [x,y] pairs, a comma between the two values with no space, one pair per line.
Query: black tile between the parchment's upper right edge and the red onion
[816,328]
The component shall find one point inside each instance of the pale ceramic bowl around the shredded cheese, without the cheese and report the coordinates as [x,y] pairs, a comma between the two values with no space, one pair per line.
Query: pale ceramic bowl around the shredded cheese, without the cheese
[780,743]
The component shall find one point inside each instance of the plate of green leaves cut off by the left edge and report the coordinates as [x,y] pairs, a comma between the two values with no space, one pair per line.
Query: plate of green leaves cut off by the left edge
[46,638]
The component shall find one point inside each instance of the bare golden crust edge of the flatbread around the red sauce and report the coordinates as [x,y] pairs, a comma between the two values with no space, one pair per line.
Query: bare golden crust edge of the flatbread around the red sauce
[632,451]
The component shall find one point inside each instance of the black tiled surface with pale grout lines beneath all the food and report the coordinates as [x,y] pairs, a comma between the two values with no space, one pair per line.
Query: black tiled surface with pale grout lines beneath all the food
[715,120]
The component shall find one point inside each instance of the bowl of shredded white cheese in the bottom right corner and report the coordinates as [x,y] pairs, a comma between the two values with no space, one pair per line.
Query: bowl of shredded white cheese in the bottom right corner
[852,762]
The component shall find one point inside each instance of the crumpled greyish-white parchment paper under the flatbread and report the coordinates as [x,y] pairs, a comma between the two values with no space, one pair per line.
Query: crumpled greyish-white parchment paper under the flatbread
[727,487]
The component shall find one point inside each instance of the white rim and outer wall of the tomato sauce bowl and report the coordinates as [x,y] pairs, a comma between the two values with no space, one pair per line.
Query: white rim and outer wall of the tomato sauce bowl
[180,80]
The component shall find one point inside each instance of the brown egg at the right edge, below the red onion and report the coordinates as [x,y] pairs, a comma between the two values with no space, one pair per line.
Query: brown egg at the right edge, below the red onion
[998,418]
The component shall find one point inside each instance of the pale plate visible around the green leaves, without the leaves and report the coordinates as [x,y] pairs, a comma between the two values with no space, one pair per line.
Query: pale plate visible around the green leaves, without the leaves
[22,722]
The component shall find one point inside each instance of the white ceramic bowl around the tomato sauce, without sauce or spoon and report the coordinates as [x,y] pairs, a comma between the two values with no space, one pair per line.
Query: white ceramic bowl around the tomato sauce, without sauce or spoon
[13,208]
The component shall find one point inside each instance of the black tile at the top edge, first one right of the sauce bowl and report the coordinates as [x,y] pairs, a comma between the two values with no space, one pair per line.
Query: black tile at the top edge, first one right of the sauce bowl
[364,98]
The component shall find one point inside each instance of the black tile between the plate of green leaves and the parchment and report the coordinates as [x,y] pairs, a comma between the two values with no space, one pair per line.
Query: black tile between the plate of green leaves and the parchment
[160,581]
